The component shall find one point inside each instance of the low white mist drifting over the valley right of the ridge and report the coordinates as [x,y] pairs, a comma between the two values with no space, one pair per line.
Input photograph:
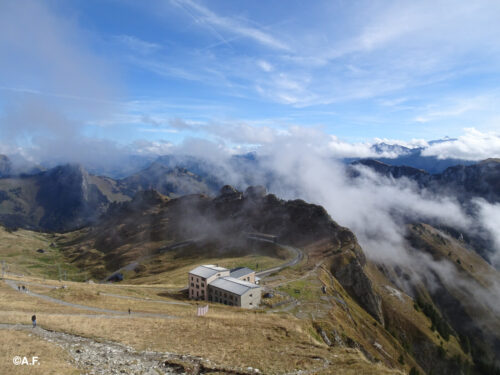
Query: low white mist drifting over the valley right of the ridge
[375,207]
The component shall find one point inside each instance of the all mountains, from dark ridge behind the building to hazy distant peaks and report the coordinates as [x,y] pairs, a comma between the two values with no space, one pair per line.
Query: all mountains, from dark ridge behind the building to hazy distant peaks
[438,316]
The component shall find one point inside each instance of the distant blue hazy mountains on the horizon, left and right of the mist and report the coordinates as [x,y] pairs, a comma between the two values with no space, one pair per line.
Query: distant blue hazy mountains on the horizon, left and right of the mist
[67,197]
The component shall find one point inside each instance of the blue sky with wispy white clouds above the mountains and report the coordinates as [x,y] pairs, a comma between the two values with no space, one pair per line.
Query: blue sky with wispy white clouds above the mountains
[128,76]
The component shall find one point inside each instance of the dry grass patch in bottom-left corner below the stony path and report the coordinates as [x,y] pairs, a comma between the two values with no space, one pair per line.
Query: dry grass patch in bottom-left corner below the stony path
[52,359]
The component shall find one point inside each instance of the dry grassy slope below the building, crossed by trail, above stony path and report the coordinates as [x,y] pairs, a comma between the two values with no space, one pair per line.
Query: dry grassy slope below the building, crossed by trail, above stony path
[274,343]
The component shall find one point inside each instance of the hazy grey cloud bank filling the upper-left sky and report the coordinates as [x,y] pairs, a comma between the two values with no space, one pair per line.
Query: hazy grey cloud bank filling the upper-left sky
[61,85]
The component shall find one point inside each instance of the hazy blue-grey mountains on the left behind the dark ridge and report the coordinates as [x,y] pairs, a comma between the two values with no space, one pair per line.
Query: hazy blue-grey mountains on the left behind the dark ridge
[67,197]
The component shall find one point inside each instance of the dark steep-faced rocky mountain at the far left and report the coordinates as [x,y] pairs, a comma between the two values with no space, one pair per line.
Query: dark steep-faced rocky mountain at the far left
[59,199]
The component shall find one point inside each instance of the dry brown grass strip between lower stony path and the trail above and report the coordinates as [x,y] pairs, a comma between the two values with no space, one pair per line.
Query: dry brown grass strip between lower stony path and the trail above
[274,344]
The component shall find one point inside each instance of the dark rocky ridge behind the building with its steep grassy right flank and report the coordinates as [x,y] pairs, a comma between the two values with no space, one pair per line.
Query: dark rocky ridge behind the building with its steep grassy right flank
[367,306]
